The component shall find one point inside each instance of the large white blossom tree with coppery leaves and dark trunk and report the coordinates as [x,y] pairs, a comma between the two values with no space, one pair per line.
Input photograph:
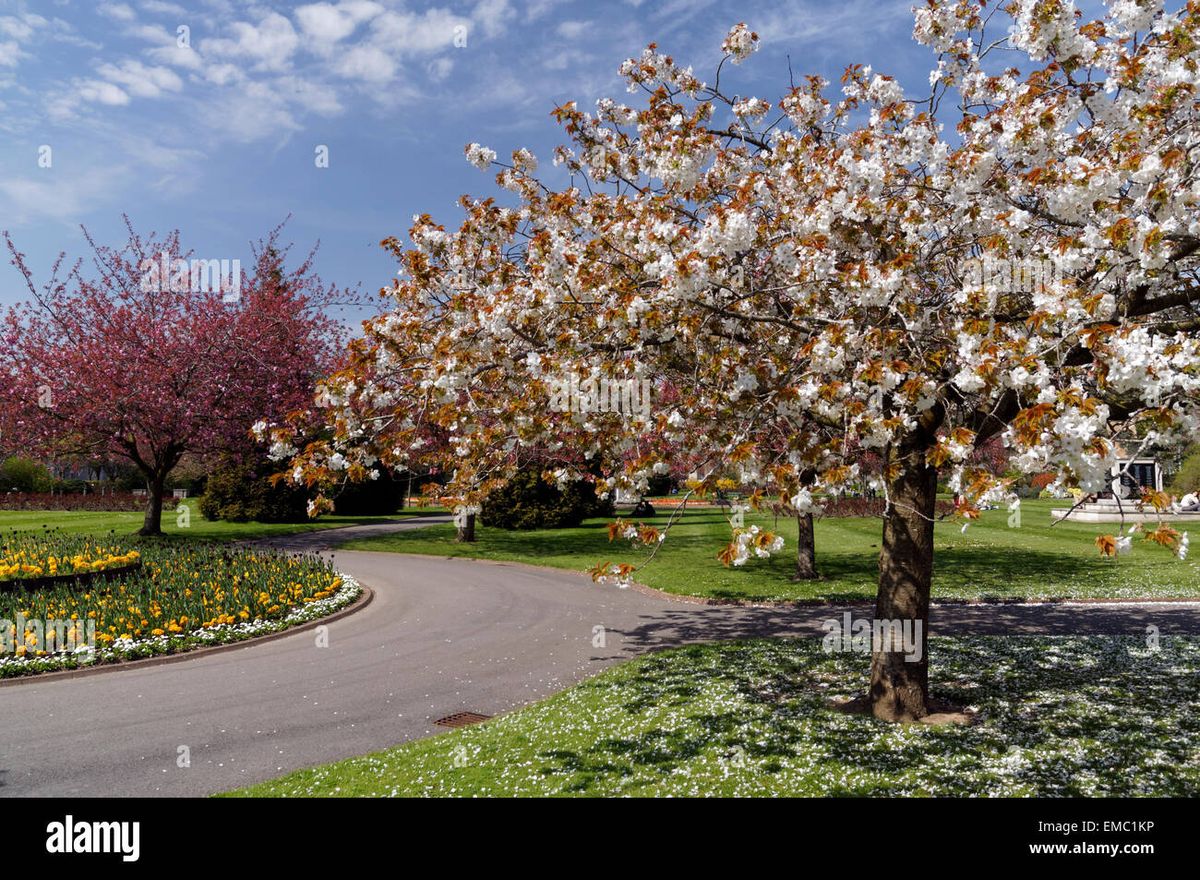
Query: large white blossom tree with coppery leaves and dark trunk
[1011,255]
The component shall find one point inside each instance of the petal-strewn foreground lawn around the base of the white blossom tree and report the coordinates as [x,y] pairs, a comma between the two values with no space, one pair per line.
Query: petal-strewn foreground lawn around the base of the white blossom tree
[1058,716]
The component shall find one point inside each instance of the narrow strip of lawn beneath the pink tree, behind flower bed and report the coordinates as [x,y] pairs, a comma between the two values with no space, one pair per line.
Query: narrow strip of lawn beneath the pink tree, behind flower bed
[129,523]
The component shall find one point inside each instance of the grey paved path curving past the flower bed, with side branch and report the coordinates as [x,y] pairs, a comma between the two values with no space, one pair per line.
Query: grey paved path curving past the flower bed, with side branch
[441,637]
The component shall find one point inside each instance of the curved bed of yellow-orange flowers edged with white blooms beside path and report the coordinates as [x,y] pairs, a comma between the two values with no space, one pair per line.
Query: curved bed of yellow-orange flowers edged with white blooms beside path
[182,598]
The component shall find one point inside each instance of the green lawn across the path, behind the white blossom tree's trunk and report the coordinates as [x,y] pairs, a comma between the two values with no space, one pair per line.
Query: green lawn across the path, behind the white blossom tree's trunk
[989,561]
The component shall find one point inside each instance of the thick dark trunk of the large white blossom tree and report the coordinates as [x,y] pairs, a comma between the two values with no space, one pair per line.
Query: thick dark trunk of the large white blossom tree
[899,690]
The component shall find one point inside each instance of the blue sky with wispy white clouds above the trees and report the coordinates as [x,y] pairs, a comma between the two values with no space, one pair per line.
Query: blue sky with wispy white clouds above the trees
[219,139]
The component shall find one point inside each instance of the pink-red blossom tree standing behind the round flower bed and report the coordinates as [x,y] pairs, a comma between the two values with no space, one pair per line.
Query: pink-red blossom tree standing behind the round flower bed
[125,363]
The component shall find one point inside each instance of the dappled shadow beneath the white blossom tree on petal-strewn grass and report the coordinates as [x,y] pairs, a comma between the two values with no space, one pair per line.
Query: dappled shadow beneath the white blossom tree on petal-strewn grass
[1067,719]
